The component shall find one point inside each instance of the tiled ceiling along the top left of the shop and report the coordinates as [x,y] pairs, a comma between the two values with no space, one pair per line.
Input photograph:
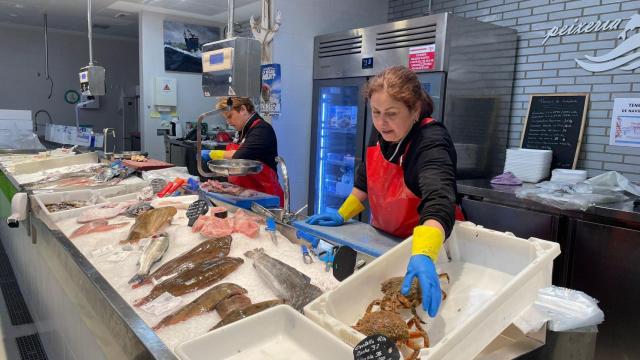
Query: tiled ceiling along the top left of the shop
[116,17]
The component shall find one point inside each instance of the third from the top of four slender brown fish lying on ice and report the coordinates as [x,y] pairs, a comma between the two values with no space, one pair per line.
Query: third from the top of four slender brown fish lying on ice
[202,304]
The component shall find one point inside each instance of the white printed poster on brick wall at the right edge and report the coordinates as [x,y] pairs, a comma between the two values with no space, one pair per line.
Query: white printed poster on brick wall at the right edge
[625,123]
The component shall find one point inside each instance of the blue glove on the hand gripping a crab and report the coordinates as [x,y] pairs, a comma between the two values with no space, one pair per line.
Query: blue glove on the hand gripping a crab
[422,266]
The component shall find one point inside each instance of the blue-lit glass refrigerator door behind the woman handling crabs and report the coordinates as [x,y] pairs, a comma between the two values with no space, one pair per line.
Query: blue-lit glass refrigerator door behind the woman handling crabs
[337,135]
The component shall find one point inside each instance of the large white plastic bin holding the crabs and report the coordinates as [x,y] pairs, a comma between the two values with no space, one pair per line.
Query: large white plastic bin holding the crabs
[494,277]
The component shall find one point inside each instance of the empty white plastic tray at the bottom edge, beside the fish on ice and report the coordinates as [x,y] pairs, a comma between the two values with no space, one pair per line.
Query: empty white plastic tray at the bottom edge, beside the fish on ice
[276,333]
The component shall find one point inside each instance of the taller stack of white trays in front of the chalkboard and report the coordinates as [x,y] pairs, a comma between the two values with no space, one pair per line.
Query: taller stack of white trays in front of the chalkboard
[529,165]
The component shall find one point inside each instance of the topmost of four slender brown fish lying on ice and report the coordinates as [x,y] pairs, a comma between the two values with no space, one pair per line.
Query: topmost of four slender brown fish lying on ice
[206,250]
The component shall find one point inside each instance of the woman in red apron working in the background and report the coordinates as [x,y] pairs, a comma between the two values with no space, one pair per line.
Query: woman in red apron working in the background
[256,141]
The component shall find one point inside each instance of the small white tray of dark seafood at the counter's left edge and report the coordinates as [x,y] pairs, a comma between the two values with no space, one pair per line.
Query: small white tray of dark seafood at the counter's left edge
[39,202]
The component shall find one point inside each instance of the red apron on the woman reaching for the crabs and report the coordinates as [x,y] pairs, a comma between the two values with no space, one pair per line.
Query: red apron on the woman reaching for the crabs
[393,205]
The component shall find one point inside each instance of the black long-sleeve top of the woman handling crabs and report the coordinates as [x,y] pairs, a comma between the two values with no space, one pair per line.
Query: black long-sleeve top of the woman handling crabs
[429,170]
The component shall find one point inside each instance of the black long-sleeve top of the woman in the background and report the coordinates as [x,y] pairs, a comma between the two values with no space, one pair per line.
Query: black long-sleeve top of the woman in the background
[258,142]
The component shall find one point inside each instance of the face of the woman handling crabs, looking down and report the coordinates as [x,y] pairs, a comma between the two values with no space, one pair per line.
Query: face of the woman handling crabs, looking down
[391,118]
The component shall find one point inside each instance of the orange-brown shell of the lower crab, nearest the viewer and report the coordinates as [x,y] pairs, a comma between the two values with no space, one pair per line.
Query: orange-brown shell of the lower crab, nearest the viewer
[383,322]
